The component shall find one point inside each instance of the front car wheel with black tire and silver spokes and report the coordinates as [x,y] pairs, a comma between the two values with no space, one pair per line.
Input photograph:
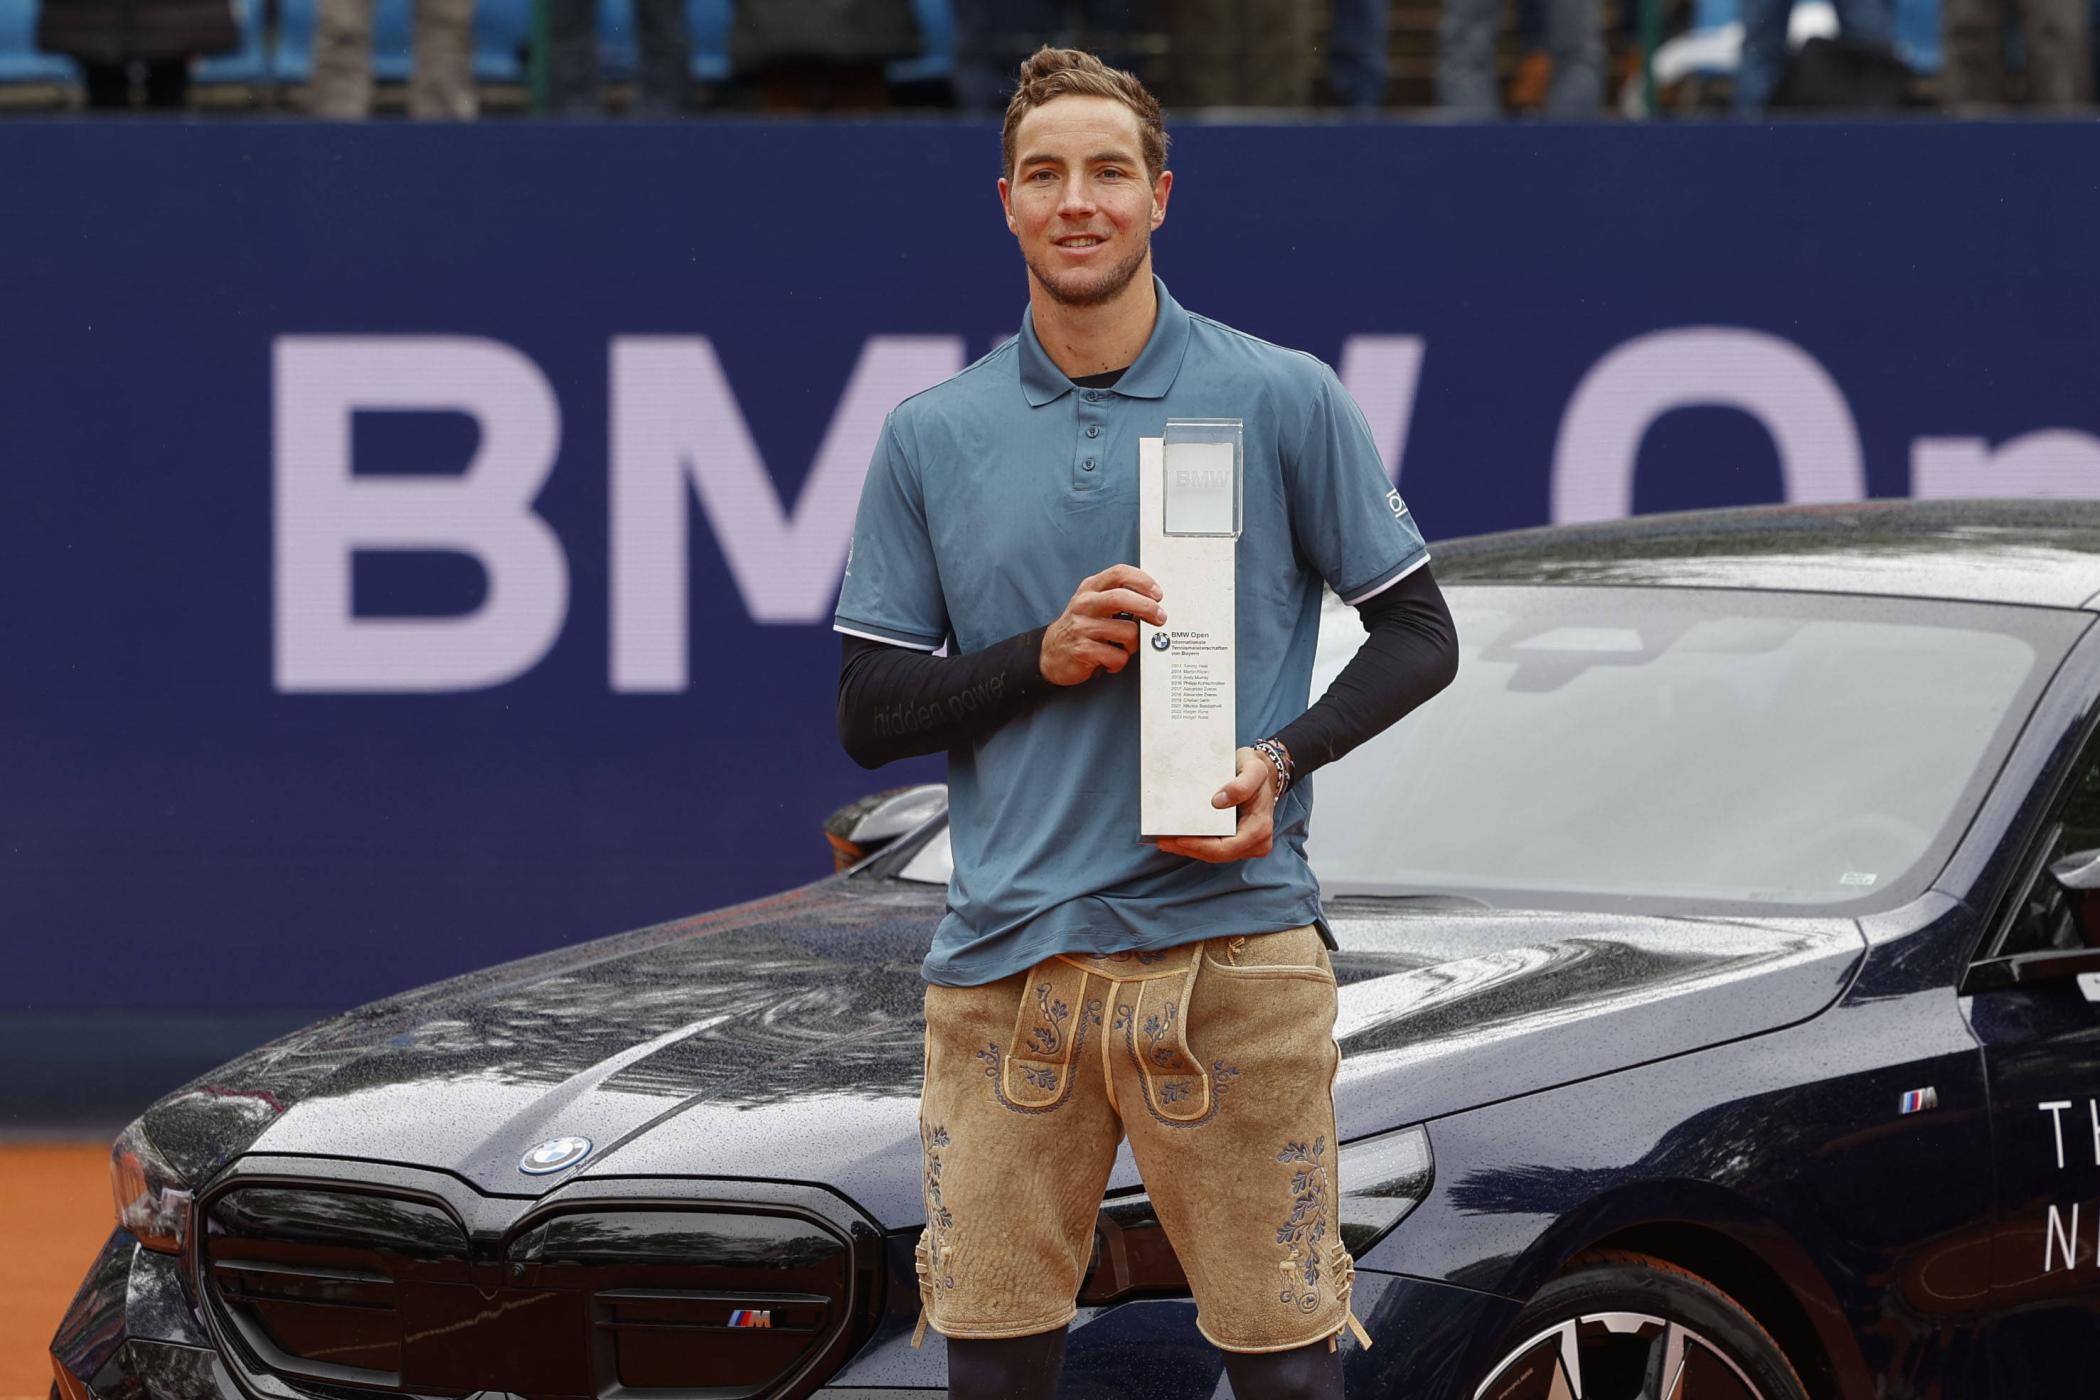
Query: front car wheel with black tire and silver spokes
[1622,1325]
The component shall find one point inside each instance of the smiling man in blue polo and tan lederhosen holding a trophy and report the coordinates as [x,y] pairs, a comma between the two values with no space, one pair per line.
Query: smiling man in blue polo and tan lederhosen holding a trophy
[1087,985]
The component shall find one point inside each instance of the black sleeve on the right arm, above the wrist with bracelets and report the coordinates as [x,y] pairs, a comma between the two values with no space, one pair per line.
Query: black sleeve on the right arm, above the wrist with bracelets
[1410,656]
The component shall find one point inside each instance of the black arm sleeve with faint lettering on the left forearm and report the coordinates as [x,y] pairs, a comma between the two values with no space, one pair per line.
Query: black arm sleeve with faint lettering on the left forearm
[896,702]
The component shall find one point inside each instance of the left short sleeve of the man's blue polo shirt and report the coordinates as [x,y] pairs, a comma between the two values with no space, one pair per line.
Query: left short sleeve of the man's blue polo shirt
[891,591]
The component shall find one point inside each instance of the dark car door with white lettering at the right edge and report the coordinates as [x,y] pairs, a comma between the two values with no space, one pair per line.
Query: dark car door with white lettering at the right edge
[2038,1015]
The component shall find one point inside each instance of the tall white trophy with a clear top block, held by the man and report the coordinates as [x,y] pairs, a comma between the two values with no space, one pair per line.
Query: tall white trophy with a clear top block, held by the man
[1190,503]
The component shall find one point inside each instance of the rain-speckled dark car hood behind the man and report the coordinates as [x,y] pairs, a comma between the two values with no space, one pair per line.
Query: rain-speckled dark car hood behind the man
[784,1040]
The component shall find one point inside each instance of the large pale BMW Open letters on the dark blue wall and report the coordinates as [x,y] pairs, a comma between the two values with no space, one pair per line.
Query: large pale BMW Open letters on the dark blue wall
[677,429]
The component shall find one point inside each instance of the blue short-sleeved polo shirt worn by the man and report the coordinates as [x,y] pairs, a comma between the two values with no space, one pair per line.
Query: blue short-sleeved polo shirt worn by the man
[988,501]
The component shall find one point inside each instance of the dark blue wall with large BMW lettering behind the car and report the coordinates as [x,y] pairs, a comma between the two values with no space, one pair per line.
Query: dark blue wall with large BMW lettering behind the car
[249,765]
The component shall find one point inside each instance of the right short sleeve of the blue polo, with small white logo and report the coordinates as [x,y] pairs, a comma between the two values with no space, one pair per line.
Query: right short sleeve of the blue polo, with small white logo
[1347,517]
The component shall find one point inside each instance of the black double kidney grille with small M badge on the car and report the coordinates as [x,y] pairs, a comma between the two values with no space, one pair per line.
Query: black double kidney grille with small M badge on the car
[345,1288]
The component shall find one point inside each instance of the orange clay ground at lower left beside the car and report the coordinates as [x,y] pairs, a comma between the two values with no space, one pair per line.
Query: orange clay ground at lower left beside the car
[54,1214]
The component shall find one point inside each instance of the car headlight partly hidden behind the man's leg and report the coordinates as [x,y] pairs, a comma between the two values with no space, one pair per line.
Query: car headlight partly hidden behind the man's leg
[1383,1179]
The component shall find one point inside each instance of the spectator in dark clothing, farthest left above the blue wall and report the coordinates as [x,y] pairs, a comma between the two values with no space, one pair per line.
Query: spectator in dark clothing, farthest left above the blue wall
[108,39]
